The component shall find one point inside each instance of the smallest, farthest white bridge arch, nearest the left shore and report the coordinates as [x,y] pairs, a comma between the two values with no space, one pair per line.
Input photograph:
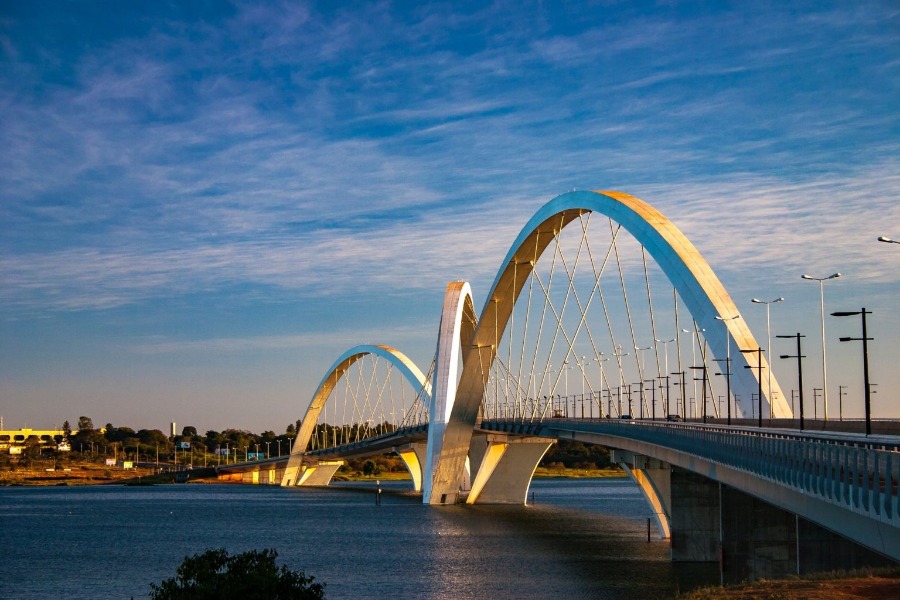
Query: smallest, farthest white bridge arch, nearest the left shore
[398,359]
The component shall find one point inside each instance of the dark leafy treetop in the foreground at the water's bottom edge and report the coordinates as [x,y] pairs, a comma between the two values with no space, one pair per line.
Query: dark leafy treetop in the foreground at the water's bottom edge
[249,575]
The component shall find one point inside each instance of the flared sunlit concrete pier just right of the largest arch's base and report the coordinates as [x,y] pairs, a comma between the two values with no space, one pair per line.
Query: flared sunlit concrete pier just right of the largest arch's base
[505,467]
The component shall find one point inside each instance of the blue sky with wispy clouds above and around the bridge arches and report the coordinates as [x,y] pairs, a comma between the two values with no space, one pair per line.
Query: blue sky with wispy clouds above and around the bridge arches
[203,204]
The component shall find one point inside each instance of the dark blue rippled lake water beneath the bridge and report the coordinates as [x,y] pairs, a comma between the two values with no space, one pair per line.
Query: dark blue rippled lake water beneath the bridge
[582,539]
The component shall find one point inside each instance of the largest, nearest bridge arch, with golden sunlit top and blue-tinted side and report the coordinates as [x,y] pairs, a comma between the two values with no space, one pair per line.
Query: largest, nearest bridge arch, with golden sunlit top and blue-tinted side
[700,290]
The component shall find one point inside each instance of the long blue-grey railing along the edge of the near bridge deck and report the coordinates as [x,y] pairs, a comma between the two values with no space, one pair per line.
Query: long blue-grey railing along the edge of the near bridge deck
[856,472]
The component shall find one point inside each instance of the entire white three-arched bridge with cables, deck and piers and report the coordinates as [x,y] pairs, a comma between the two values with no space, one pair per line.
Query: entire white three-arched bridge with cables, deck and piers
[575,296]
